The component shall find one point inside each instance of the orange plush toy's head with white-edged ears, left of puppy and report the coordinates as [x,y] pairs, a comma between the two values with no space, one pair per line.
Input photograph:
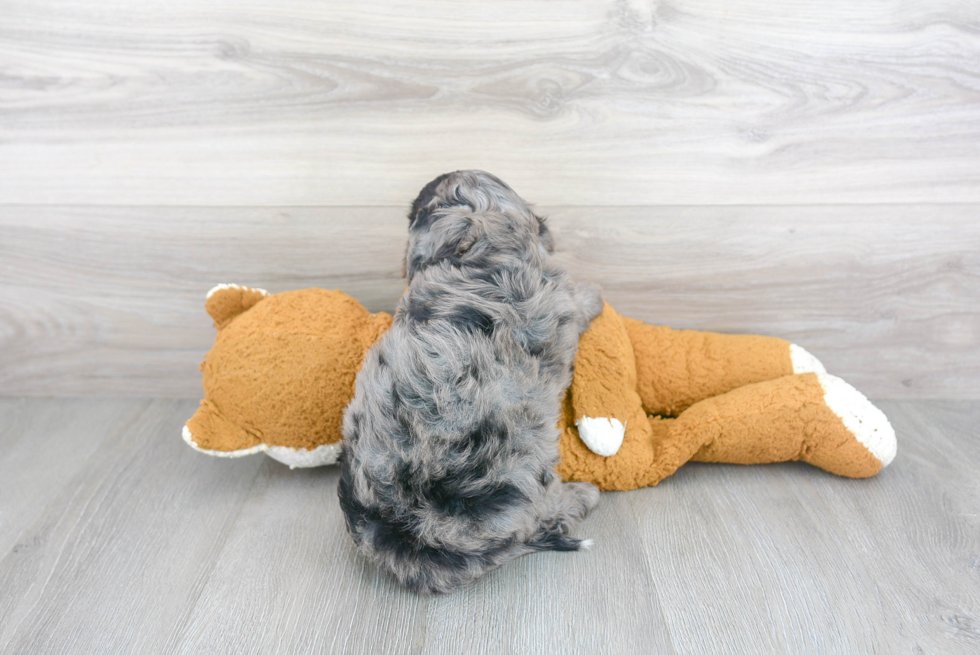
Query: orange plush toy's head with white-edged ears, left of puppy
[281,372]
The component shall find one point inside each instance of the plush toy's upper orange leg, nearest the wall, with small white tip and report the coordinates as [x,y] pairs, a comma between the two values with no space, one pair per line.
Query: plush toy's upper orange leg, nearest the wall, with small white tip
[678,368]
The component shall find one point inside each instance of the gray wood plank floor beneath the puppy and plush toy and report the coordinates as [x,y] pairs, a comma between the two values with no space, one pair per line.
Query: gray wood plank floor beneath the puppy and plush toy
[116,537]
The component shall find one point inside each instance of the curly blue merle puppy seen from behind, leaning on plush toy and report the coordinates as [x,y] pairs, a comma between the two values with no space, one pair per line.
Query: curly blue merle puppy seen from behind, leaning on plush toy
[448,469]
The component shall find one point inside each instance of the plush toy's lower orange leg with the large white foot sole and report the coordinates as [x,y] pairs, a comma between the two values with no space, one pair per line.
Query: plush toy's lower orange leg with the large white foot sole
[816,418]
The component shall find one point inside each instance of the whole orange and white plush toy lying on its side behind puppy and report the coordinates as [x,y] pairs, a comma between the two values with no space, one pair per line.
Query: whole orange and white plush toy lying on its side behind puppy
[644,399]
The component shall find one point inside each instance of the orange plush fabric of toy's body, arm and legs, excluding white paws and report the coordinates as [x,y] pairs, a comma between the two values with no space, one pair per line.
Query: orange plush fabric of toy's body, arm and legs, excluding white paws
[736,399]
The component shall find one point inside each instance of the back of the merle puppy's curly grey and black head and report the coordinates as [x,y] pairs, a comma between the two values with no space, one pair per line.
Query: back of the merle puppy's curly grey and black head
[466,217]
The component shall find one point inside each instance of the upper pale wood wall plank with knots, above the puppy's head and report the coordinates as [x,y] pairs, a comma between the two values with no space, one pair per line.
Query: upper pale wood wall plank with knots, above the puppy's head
[616,102]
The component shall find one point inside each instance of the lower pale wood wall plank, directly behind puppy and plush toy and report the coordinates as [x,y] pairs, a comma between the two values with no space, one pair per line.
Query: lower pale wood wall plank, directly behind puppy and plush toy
[108,300]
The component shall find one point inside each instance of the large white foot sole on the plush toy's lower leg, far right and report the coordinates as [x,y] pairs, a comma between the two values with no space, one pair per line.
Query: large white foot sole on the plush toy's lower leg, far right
[867,423]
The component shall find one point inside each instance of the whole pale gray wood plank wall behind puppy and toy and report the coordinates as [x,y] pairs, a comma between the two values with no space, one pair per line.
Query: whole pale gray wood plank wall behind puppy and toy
[808,171]
